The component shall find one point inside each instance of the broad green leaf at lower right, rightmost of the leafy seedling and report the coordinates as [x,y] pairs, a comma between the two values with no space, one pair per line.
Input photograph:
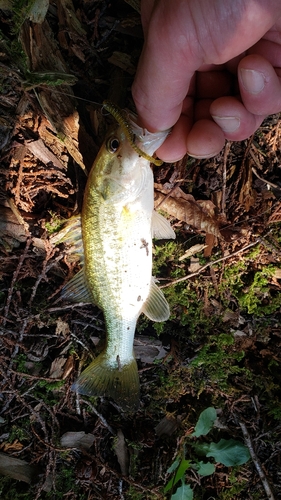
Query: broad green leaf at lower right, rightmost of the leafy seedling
[229,452]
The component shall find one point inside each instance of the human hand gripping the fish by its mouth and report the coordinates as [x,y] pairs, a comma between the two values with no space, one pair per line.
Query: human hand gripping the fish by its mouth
[211,70]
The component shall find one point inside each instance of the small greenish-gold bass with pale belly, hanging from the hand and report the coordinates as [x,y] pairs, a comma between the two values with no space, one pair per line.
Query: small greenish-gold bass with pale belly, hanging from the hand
[118,223]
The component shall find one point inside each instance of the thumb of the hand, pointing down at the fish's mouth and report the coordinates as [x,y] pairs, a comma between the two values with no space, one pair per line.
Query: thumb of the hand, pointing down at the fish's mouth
[163,76]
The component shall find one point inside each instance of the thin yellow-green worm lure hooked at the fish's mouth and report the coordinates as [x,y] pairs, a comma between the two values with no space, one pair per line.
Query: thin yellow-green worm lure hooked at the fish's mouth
[123,121]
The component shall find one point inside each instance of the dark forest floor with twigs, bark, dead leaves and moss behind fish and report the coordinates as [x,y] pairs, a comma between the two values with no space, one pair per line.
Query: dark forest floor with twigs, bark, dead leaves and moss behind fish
[222,276]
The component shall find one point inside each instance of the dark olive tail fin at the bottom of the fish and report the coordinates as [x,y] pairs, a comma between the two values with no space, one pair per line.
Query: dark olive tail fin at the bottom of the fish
[121,383]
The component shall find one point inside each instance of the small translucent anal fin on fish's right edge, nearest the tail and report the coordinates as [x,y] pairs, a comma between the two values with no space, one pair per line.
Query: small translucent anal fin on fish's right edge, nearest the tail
[156,307]
